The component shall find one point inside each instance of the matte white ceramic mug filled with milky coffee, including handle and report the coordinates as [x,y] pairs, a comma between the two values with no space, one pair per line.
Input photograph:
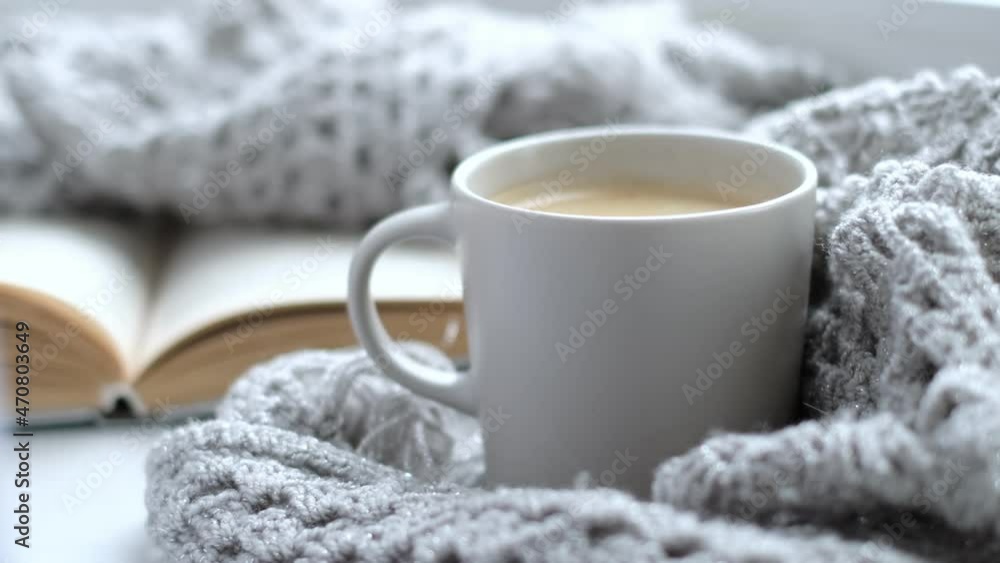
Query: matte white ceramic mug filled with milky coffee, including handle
[606,344]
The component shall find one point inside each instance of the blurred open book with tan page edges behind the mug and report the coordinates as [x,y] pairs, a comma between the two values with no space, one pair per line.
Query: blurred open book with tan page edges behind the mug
[120,317]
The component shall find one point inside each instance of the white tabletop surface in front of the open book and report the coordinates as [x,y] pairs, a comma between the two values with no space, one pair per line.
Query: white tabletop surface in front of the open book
[107,527]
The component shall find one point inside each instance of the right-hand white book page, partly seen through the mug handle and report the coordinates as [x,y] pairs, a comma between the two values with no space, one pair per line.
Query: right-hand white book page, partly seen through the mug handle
[219,274]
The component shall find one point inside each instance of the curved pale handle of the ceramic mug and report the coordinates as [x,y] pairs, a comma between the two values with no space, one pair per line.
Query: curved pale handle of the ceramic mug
[433,221]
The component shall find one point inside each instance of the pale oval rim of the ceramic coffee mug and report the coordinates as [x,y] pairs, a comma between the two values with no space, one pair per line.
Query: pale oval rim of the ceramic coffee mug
[461,174]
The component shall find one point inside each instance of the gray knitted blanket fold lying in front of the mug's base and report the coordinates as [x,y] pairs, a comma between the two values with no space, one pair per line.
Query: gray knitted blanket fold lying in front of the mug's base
[289,474]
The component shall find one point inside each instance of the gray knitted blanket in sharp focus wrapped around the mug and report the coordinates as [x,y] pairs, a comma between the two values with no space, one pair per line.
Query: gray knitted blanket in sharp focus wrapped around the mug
[316,457]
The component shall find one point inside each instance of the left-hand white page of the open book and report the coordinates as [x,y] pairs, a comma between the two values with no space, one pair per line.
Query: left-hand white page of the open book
[101,269]
